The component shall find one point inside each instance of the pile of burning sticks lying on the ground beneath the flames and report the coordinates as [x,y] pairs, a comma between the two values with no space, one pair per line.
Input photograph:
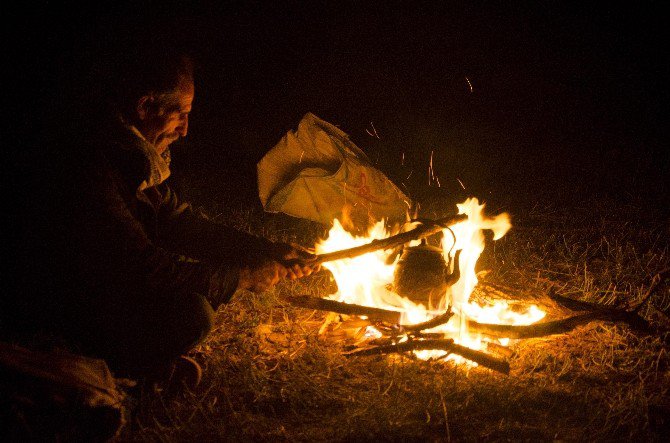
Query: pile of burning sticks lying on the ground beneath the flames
[352,321]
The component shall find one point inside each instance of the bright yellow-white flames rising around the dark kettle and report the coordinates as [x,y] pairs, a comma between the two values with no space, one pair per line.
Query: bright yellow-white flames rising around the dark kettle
[367,280]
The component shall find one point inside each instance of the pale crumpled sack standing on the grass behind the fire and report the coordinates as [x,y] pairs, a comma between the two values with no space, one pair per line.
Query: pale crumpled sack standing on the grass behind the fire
[317,173]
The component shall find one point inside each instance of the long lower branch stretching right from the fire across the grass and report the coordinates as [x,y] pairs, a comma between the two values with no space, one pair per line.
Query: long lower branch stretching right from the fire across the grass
[554,327]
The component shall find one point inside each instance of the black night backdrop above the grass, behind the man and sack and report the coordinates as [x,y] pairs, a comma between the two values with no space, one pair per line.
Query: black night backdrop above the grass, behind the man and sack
[566,103]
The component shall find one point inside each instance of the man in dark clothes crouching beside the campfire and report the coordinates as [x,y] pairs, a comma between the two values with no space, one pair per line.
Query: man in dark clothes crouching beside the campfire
[134,275]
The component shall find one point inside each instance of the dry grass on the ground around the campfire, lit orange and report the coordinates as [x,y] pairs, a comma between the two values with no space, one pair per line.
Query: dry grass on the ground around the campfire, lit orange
[270,376]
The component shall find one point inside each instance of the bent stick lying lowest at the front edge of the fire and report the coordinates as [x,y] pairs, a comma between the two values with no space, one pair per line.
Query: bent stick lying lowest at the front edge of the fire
[447,345]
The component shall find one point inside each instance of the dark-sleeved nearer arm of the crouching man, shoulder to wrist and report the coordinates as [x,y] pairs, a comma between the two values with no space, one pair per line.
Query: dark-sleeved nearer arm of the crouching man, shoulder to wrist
[119,251]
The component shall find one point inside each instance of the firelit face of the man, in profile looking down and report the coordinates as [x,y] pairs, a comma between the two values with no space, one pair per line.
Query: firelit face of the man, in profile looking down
[162,125]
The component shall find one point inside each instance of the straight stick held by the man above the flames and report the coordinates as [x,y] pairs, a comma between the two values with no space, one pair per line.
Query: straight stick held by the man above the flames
[421,231]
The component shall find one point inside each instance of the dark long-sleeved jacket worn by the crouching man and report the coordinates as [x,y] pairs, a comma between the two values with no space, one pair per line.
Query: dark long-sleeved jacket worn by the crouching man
[111,248]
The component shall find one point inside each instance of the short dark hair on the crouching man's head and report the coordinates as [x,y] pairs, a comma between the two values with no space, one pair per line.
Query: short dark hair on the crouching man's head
[155,69]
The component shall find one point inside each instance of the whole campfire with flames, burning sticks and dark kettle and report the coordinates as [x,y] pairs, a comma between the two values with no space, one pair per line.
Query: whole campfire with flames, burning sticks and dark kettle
[399,294]
